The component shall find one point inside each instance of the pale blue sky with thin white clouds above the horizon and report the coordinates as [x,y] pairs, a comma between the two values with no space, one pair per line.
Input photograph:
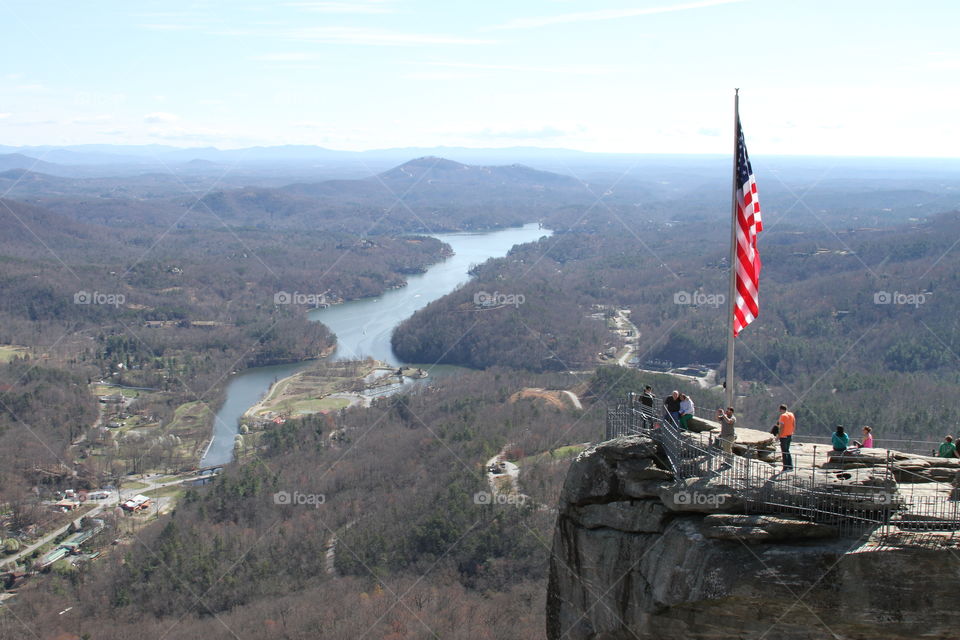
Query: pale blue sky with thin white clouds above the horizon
[844,77]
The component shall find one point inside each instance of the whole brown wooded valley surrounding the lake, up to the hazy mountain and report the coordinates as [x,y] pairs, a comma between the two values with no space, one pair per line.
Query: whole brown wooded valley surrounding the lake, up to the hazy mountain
[374,512]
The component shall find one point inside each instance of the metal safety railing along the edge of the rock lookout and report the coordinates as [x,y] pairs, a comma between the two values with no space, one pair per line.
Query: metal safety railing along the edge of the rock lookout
[878,503]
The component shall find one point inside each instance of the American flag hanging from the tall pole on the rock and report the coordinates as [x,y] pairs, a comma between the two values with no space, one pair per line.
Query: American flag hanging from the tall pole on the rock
[748,226]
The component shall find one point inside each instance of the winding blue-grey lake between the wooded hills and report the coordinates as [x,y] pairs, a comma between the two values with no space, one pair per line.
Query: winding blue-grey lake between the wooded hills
[363,327]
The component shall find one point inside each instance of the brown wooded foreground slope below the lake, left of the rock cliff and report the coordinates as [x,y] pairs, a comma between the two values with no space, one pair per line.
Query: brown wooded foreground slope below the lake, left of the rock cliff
[398,489]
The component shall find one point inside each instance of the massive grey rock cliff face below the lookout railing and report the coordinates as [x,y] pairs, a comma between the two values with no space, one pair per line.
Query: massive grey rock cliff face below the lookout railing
[639,555]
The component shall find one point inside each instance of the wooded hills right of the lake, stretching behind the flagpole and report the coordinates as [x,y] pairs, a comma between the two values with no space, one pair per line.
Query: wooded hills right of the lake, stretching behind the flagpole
[859,325]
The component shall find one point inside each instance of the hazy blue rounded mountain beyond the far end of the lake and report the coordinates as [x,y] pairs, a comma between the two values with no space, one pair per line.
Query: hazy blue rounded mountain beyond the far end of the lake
[438,194]
